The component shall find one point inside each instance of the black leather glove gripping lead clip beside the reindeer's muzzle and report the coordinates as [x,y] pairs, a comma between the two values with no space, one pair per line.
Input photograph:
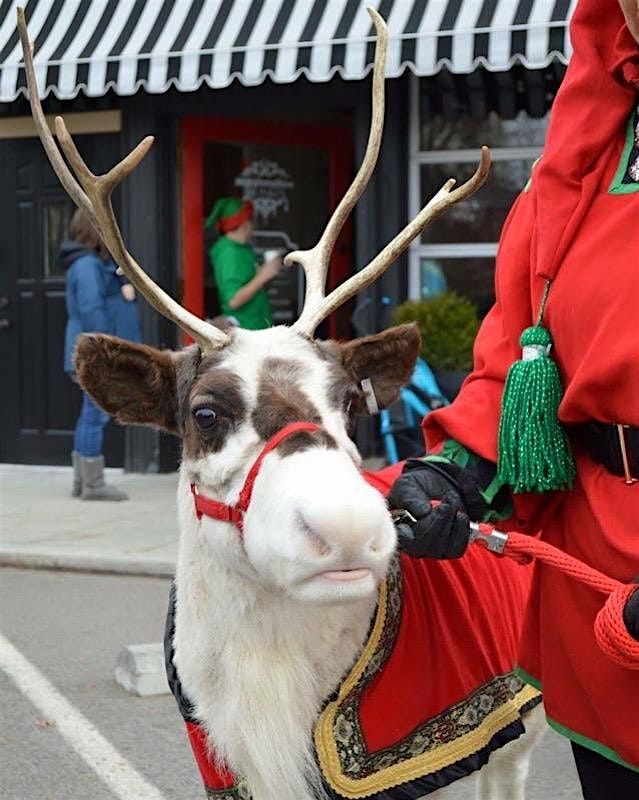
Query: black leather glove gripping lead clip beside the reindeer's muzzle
[442,530]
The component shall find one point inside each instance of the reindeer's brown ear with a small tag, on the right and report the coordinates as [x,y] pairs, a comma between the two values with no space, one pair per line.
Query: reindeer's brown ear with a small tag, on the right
[387,359]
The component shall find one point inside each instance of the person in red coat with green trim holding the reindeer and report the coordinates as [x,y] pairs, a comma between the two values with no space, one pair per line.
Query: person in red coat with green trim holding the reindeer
[568,270]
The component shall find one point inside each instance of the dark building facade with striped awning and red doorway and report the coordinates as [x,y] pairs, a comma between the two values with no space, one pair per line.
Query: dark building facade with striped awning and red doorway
[268,99]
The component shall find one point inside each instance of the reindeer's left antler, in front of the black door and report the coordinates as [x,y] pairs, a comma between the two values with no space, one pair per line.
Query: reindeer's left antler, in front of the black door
[92,193]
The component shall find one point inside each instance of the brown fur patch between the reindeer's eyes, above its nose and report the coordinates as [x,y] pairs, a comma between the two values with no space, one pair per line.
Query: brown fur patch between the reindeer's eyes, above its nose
[280,401]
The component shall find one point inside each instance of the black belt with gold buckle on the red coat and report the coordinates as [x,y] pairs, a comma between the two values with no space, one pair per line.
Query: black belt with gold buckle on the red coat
[614,446]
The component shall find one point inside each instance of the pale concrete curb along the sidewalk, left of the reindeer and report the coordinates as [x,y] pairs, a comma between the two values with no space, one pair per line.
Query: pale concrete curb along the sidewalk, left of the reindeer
[109,564]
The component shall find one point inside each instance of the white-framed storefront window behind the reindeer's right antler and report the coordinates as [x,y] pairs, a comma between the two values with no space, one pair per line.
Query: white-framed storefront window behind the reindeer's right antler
[457,251]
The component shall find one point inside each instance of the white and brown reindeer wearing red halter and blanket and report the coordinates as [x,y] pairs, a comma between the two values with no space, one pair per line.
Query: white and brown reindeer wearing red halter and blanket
[288,593]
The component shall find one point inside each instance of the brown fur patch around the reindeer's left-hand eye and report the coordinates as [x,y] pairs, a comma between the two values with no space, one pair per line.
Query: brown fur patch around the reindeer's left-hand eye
[224,393]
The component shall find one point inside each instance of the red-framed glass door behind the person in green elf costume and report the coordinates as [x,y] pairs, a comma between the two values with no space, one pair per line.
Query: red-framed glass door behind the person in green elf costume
[295,174]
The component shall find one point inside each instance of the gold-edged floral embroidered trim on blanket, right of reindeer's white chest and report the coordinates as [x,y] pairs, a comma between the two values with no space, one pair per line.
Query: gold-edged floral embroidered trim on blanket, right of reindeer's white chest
[453,735]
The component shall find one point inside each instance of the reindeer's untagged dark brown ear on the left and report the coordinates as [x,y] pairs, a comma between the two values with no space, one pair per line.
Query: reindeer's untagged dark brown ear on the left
[134,383]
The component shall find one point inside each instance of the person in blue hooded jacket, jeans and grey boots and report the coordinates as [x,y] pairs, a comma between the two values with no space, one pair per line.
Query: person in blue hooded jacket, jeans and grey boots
[98,300]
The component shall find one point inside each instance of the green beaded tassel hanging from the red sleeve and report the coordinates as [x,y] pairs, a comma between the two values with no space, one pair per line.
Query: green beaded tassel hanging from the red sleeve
[534,452]
